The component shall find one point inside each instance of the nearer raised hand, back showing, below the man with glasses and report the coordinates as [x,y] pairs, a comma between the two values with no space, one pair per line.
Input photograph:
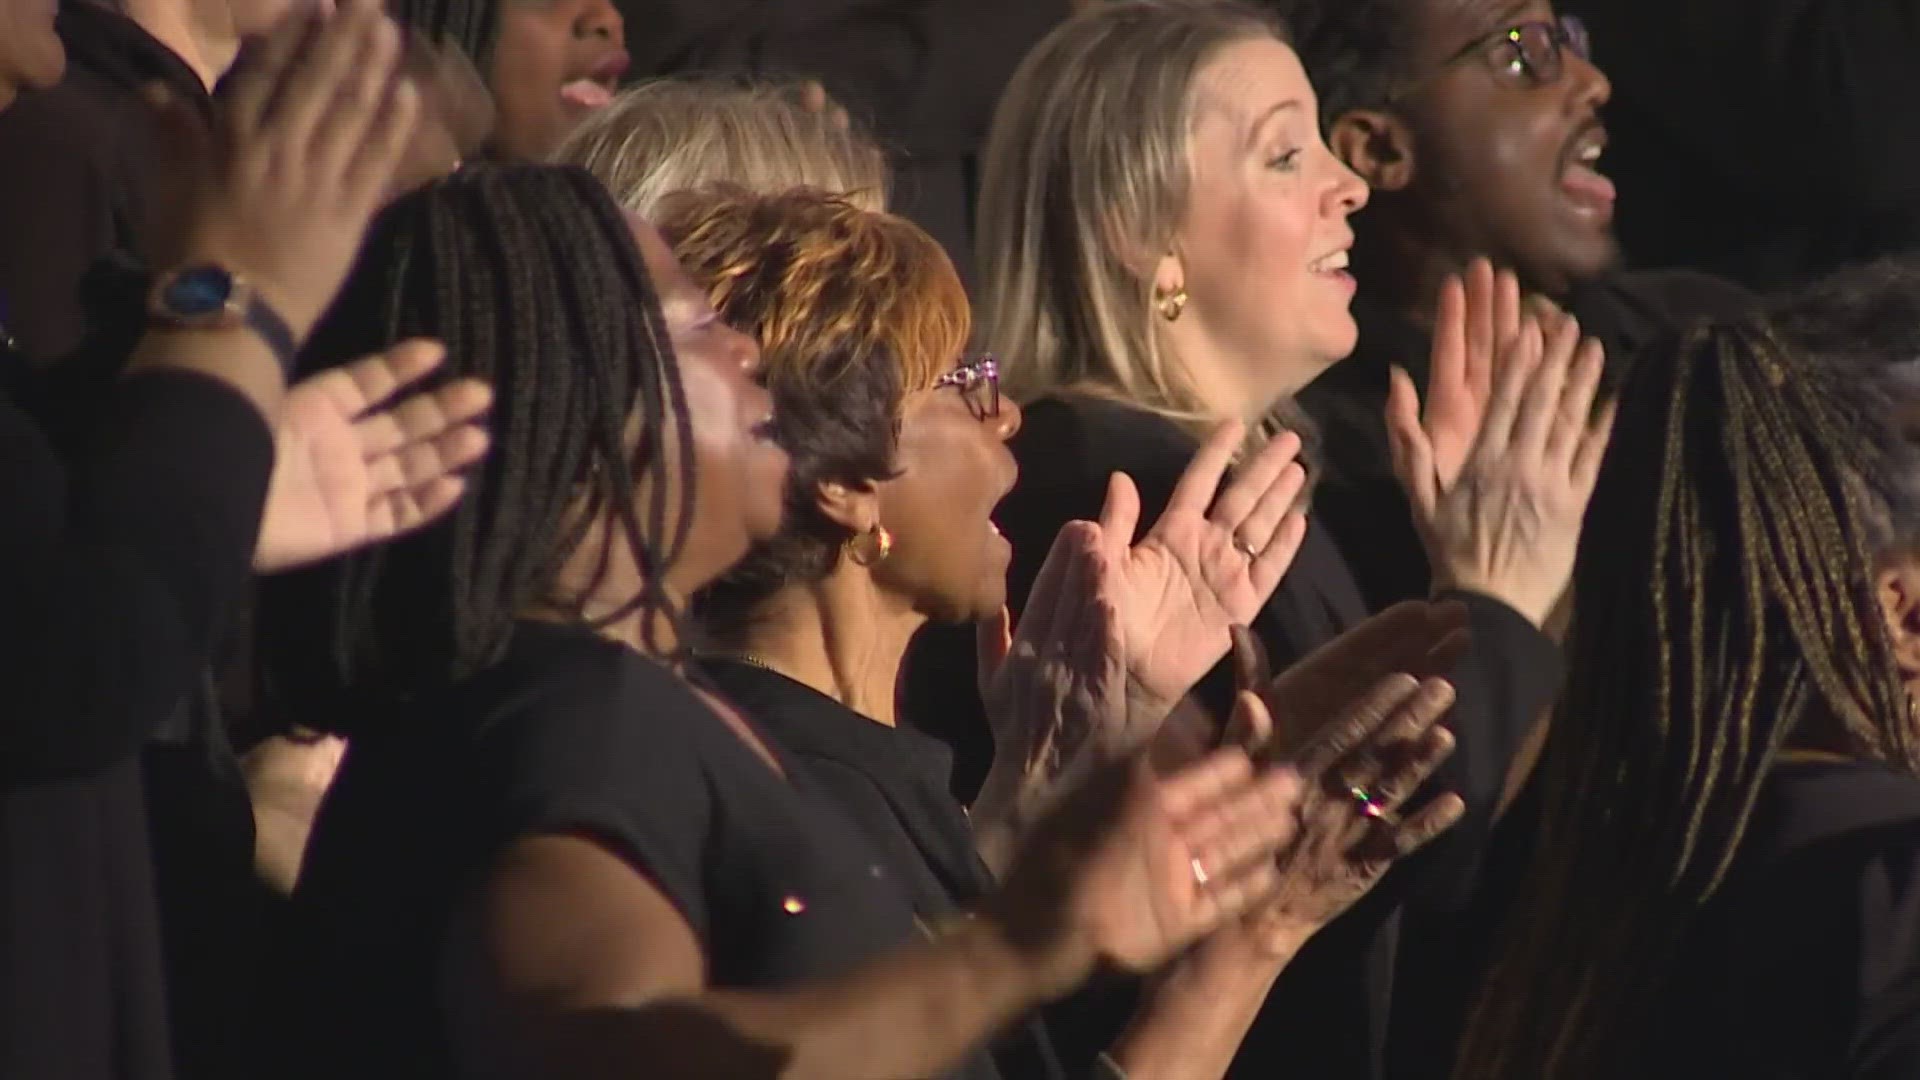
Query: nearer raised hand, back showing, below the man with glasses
[1510,522]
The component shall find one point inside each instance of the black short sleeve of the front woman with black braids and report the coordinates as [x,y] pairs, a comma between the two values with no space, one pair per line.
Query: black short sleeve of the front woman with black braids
[610,750]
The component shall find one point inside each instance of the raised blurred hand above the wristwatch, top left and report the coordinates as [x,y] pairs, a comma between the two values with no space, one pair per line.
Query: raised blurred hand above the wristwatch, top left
[306,147]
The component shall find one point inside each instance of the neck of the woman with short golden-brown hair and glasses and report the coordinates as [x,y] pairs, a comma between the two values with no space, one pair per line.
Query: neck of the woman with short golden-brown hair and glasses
[842,637]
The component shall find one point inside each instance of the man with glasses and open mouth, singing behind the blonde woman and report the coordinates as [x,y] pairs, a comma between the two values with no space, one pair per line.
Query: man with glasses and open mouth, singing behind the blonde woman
[1479,128]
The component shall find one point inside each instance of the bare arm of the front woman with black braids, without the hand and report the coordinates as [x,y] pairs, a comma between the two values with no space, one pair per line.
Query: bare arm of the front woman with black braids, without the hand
[573,966]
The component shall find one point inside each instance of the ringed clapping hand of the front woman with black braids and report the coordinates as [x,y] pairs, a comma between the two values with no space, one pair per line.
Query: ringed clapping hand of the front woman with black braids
[1132,870]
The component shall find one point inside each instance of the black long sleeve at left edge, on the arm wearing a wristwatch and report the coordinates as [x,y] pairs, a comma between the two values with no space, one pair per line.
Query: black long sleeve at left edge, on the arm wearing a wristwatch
[118,562]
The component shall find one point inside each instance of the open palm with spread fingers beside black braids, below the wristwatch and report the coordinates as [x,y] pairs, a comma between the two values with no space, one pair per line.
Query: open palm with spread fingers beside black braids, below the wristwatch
[358,460]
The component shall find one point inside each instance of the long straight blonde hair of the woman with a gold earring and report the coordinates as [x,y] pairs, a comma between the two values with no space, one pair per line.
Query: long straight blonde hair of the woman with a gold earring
[1088,174]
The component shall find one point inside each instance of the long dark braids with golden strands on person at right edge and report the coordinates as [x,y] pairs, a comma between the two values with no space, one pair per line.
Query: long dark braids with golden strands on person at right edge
[1754,479]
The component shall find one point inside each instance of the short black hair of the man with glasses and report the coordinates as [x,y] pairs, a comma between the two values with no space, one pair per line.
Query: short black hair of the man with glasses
[1360,55]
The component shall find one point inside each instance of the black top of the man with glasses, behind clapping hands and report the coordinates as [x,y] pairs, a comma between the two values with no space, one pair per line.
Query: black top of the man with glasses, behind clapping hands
[1360,501]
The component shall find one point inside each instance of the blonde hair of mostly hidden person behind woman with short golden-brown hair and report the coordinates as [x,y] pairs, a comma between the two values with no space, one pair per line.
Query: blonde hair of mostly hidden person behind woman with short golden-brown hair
[677,135]
